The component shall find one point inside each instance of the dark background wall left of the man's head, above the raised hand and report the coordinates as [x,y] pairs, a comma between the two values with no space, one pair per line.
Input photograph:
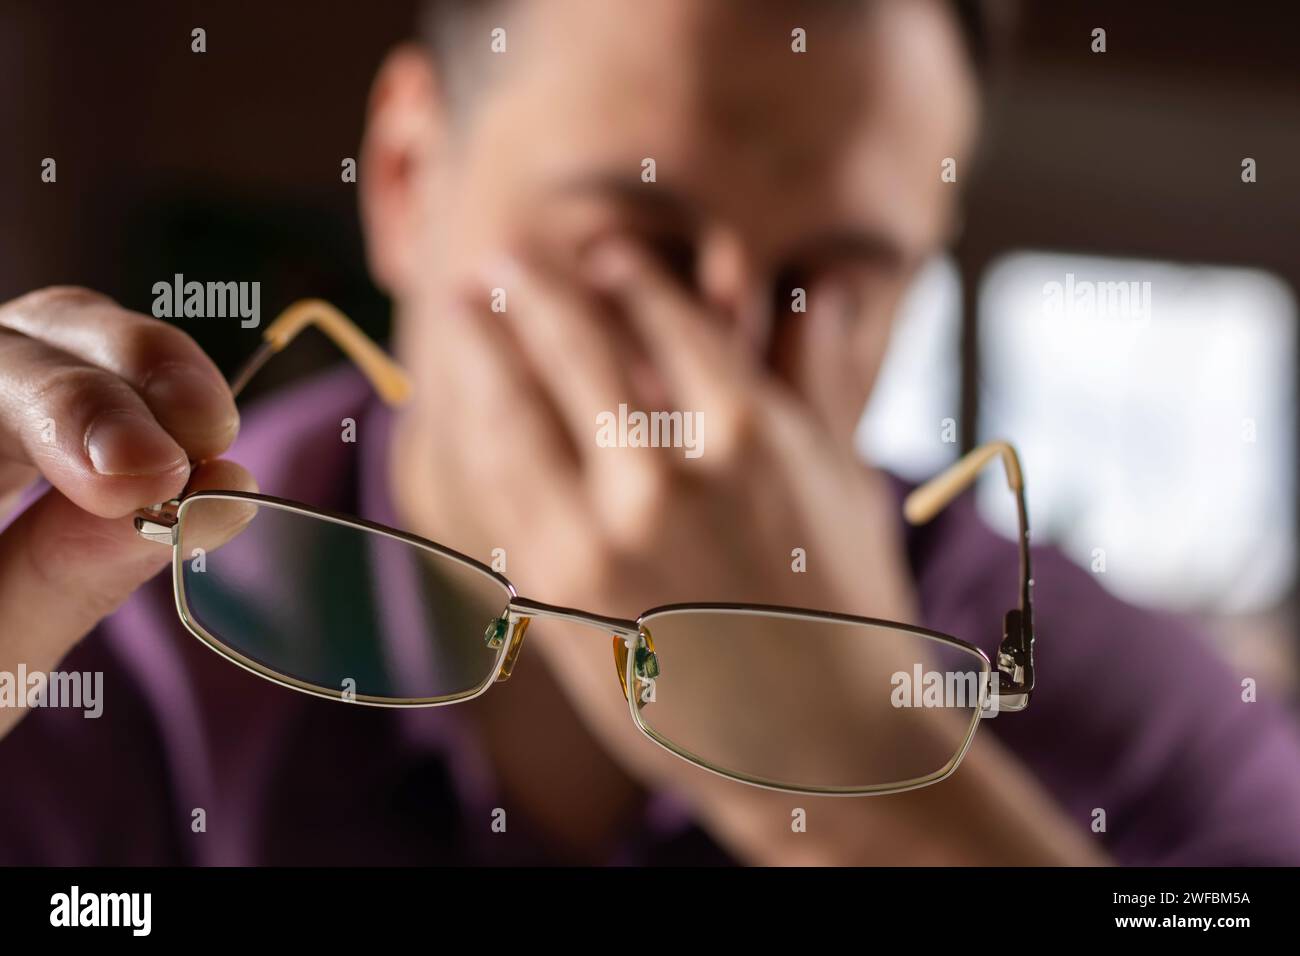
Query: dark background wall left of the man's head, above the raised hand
[218,166]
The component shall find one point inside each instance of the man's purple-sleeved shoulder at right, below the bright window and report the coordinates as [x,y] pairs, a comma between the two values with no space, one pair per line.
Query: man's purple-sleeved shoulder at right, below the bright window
[1136,713]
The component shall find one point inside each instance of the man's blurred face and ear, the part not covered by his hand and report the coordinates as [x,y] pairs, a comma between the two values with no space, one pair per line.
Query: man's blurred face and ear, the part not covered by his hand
[774,170]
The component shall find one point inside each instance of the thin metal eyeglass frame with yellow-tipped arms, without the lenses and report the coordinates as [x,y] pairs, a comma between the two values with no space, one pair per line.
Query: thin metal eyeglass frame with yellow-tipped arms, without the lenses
[634,646]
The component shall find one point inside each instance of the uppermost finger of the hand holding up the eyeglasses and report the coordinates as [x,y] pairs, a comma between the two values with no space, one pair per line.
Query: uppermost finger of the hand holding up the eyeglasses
[177,382]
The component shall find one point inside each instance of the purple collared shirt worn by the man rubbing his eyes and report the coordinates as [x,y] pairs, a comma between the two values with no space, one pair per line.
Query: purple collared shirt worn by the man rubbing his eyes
[1133,715]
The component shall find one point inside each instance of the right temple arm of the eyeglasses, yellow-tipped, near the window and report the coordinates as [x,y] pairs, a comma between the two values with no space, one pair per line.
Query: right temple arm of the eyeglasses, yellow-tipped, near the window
[1016,652]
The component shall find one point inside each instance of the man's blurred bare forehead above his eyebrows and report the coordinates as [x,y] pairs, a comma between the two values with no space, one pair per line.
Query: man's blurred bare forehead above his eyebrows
[855,128]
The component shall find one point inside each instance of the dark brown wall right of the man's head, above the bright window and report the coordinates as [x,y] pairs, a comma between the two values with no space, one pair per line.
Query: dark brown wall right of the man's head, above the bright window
[1138,153]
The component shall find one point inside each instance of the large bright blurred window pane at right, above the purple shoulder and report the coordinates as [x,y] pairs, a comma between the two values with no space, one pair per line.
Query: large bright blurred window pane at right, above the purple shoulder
[1155,405]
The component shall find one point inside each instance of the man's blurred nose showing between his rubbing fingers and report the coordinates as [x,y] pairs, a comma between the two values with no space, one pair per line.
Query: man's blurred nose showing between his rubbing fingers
[735,285]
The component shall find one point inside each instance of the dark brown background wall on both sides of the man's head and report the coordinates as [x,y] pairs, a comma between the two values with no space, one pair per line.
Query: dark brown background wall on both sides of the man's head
[229,162]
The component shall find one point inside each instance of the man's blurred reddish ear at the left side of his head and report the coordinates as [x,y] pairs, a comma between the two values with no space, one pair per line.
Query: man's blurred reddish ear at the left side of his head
[405,132]
